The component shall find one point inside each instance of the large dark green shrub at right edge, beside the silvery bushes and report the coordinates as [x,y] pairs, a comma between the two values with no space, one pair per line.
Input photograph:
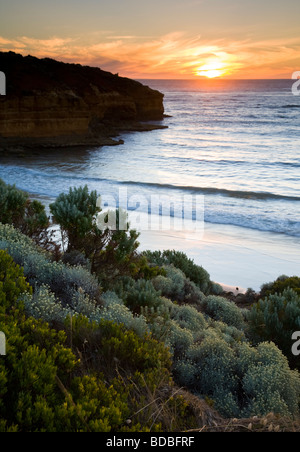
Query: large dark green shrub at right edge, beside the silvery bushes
[276,318]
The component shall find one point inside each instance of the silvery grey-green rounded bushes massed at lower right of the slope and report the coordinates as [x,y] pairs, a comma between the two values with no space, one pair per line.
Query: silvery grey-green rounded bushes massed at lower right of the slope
[214,359]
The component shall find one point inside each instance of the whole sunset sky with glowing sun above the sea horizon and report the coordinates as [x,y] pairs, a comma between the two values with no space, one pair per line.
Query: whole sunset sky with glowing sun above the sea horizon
[159,38]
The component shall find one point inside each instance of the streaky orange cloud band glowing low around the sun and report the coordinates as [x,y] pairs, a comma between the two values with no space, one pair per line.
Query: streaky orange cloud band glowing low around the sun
[174,55]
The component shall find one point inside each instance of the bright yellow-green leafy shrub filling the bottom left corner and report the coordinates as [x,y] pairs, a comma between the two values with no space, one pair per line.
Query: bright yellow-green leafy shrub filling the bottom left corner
[39,391]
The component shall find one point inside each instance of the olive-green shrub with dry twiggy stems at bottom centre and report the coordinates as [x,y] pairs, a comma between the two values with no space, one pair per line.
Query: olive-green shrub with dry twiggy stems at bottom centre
[139,369]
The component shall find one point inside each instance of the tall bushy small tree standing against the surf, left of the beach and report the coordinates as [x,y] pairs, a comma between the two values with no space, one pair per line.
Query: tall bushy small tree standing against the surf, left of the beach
[111,251]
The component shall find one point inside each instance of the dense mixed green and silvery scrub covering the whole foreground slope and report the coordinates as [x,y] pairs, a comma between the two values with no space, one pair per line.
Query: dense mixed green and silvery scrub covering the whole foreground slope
[123,327]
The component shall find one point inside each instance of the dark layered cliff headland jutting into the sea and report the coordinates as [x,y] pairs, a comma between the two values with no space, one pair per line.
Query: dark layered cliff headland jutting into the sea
[48,102]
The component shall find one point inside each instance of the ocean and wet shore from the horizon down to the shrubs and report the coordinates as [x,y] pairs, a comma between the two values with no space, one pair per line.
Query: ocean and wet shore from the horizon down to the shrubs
[236,144]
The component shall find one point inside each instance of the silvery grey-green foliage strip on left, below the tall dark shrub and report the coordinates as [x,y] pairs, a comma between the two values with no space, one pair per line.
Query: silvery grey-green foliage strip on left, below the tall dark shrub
[61,290]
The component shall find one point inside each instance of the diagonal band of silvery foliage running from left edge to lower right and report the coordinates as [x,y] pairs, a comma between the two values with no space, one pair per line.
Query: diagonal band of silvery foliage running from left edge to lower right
[210,351]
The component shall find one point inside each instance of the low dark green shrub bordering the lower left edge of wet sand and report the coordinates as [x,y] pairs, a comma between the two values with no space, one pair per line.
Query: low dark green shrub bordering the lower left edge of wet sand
[194,272]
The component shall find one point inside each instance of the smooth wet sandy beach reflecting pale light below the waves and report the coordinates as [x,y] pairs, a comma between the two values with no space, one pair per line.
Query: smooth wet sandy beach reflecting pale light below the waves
[235,257]
